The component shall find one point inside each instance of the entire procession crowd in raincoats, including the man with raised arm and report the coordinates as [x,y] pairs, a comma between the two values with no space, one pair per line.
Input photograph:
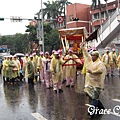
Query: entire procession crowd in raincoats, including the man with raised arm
[54,69]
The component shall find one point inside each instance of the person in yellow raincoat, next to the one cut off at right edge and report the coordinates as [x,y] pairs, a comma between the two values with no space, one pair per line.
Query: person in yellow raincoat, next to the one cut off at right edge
[113,61]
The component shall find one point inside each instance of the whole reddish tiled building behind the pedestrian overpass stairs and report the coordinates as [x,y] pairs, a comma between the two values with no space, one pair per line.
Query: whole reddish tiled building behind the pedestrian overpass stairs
[90,18]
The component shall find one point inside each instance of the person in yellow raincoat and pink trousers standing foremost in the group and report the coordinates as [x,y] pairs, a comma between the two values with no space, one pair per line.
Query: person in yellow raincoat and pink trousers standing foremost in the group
[56,69]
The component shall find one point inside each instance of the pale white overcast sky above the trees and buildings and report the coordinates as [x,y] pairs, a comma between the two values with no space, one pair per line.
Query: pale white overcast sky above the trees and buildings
[24,9]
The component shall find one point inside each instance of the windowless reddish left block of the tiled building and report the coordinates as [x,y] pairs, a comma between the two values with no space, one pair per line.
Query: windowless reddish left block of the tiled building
[80,11]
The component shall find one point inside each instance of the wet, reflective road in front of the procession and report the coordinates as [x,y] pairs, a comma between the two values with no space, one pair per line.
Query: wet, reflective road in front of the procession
[20,101]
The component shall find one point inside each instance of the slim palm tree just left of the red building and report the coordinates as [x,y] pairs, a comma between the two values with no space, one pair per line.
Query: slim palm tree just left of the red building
[62,4]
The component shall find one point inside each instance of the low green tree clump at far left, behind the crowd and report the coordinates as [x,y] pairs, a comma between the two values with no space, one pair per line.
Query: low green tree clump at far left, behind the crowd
[16,43]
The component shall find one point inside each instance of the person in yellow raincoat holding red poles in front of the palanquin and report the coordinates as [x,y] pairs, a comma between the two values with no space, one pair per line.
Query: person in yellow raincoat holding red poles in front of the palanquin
[71,68]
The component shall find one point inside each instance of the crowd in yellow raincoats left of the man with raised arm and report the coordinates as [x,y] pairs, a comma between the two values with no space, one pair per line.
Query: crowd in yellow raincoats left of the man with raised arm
[44,68]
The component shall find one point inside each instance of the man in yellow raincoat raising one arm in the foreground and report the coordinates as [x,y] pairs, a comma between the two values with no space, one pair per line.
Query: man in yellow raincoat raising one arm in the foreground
[95,75]
